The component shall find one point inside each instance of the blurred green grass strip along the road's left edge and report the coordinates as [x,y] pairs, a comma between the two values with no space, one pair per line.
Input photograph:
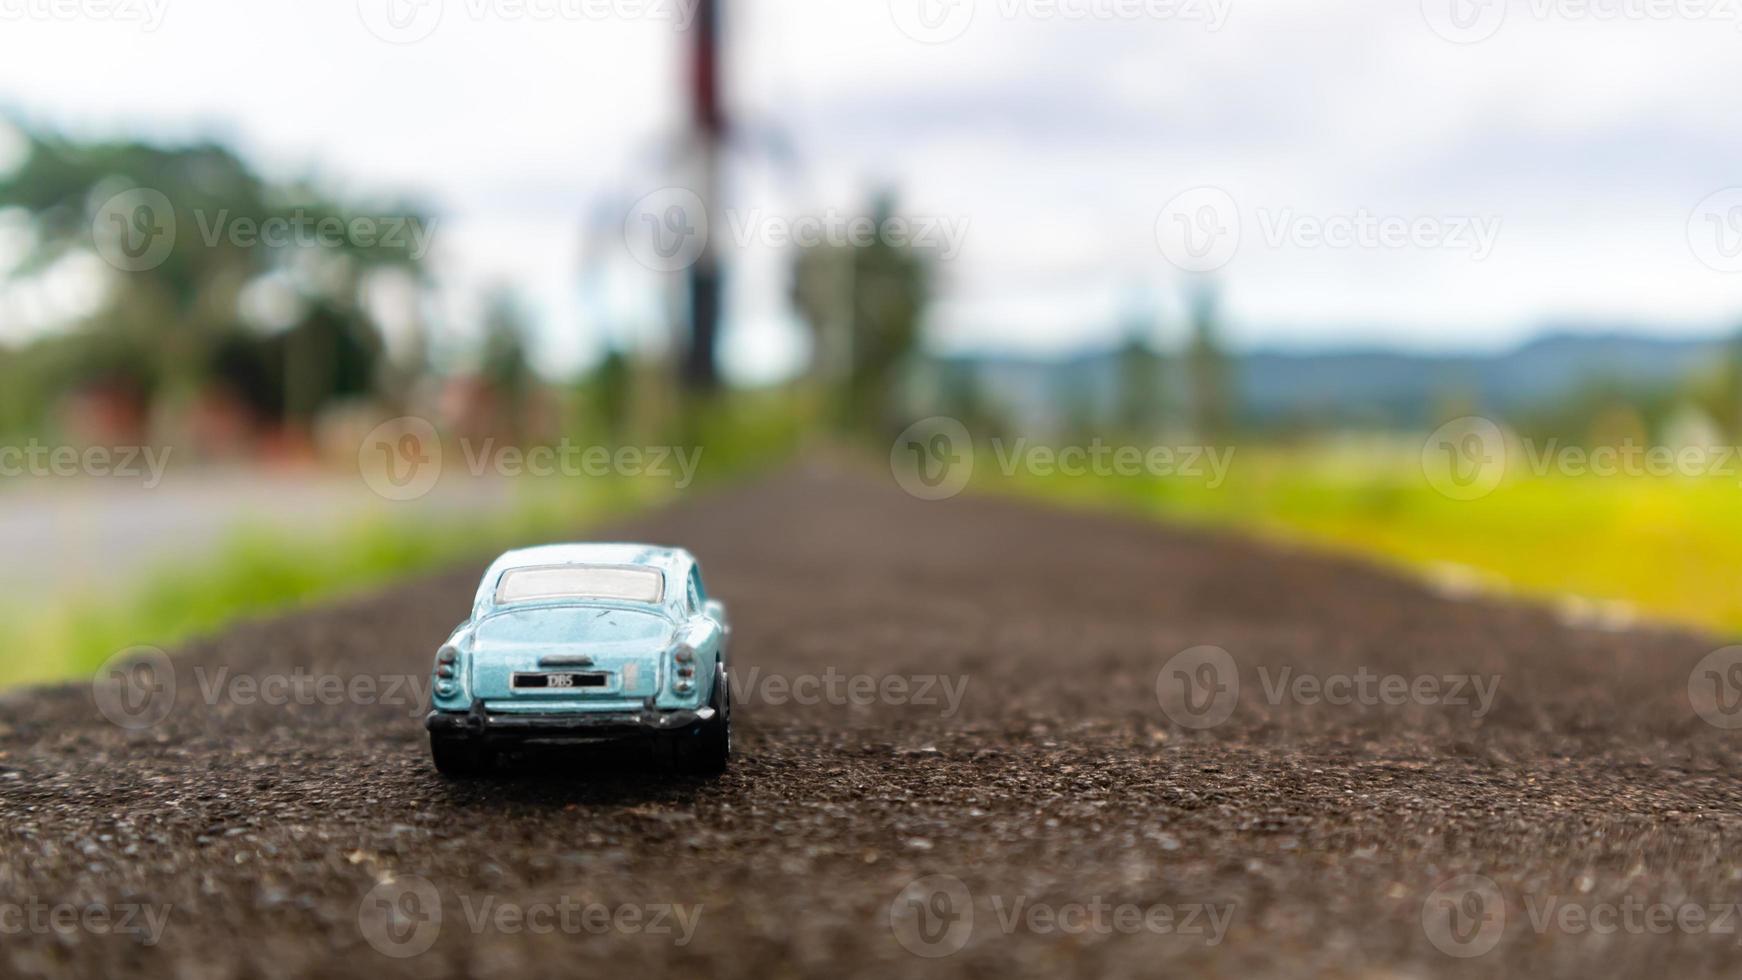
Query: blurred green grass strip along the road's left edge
[266,572]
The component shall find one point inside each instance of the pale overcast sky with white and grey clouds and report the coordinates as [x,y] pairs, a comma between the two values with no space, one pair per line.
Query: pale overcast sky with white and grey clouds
[1502,168]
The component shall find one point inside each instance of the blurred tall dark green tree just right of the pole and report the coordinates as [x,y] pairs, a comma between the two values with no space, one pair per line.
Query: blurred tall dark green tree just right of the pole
[863,304]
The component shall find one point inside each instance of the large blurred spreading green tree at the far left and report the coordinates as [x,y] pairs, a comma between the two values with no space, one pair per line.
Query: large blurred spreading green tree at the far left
[179,326]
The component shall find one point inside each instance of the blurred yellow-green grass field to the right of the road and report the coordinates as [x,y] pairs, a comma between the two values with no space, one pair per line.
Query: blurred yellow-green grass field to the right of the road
[1616,547]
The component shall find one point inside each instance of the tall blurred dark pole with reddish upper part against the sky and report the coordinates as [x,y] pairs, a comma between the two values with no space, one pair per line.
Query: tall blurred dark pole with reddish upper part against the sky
[710,131]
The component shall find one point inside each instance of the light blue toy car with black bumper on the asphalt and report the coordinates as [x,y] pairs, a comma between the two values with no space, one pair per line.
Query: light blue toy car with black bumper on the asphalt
[586,643]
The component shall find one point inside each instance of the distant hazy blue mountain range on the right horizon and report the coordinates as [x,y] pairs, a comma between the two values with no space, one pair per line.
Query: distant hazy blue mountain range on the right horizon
[1360,386]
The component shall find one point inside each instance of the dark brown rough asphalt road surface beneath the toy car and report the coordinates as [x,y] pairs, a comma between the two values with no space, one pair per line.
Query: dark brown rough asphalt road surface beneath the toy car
[975,739]
